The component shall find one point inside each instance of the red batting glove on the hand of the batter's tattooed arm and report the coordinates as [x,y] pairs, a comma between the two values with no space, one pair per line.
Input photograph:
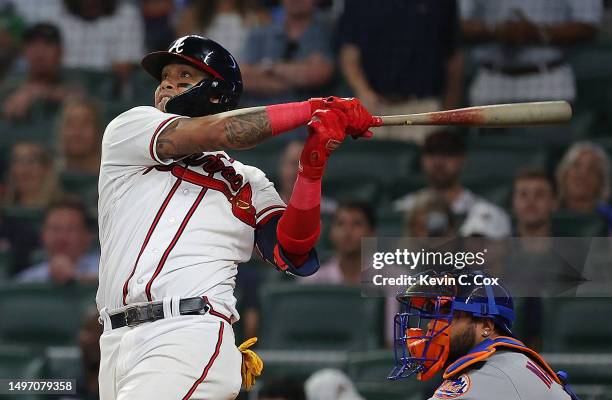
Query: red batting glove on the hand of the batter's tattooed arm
[360,120]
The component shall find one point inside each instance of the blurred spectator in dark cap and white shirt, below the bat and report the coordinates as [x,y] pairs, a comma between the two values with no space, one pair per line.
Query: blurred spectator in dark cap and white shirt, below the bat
[442,160]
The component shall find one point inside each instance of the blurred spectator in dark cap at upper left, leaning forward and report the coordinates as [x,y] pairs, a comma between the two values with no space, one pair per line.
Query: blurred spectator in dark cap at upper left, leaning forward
[43,81]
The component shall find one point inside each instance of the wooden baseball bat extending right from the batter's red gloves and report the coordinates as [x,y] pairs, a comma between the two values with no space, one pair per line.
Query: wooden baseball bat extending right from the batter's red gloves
[491,116]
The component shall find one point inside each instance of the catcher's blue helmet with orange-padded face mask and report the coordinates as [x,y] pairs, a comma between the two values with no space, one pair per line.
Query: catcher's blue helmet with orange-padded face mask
[422,327]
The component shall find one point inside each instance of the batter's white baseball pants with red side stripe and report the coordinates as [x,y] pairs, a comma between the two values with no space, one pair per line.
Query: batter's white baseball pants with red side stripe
[178,357]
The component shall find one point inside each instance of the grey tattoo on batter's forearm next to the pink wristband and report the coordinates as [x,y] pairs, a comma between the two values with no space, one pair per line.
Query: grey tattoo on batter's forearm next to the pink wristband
[249,129]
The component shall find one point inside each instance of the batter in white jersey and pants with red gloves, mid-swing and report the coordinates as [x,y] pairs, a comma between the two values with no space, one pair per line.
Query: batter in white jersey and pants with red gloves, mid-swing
[177,214]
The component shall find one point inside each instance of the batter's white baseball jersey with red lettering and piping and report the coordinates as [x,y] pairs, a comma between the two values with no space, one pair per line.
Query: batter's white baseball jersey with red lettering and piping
[173,227]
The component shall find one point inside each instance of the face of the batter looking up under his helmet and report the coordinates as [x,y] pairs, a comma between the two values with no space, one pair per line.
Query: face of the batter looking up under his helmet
[176,78]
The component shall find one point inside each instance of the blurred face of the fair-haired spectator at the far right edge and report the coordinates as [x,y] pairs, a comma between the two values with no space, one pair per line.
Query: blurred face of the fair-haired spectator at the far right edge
[584,178]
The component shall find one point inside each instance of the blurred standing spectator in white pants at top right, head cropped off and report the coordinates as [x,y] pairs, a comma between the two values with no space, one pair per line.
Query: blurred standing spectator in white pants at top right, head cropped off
[520,46]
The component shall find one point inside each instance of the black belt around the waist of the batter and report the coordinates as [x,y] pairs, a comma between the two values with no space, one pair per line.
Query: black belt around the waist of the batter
[149,312]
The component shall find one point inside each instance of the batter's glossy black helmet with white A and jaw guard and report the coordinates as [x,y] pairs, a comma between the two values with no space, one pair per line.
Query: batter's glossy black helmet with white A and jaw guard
[213,95]
